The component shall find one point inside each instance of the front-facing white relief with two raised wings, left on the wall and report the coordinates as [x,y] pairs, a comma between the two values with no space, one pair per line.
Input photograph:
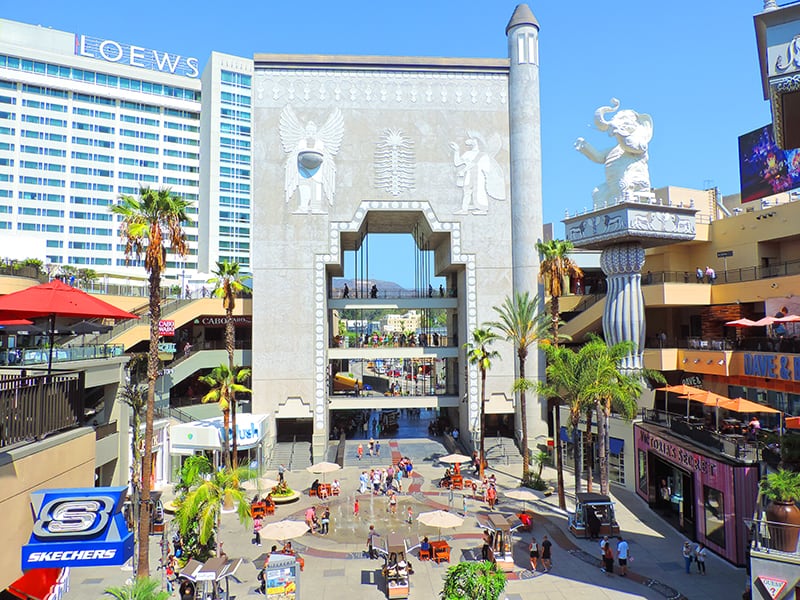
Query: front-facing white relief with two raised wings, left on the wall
[310,168]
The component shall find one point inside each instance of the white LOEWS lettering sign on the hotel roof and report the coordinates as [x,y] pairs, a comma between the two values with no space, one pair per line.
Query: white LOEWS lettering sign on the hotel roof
[136,56]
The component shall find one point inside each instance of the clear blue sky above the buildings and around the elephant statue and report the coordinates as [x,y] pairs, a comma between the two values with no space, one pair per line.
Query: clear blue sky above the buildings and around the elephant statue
[692,65]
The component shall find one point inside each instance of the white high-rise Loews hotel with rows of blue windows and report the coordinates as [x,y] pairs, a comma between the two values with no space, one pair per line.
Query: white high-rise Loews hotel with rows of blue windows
[83,120]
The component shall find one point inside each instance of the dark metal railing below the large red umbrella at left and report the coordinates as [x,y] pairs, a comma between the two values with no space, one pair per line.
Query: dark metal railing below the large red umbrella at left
[33,407]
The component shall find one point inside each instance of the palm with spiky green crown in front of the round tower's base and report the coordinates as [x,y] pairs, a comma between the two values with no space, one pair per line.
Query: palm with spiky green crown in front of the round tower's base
[521,323]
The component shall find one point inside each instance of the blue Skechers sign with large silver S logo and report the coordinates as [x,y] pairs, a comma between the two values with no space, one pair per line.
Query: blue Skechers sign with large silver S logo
[80,527]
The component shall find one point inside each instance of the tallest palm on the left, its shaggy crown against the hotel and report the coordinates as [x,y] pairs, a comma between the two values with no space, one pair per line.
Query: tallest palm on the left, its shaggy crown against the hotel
[148,225]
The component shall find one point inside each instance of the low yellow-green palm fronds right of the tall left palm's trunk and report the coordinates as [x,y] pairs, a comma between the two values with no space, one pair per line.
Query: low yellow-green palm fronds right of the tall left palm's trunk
[201,507]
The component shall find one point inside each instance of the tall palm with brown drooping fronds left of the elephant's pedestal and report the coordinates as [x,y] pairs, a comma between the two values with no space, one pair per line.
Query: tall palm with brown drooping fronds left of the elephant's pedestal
[555,266]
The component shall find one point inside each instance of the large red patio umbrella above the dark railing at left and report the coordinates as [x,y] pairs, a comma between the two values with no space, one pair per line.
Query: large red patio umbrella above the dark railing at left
[53,299]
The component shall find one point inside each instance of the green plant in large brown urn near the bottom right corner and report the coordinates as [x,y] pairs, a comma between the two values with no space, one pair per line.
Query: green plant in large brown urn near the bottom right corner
[782,489]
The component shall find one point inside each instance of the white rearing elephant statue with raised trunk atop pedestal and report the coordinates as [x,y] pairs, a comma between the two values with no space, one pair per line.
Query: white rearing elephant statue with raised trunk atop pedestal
[626,163]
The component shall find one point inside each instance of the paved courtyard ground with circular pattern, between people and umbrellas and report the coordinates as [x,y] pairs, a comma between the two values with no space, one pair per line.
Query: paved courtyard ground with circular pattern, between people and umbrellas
[336,564]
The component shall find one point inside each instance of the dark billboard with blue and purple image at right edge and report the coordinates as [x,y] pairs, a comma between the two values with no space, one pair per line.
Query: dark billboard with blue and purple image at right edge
[765,169]
